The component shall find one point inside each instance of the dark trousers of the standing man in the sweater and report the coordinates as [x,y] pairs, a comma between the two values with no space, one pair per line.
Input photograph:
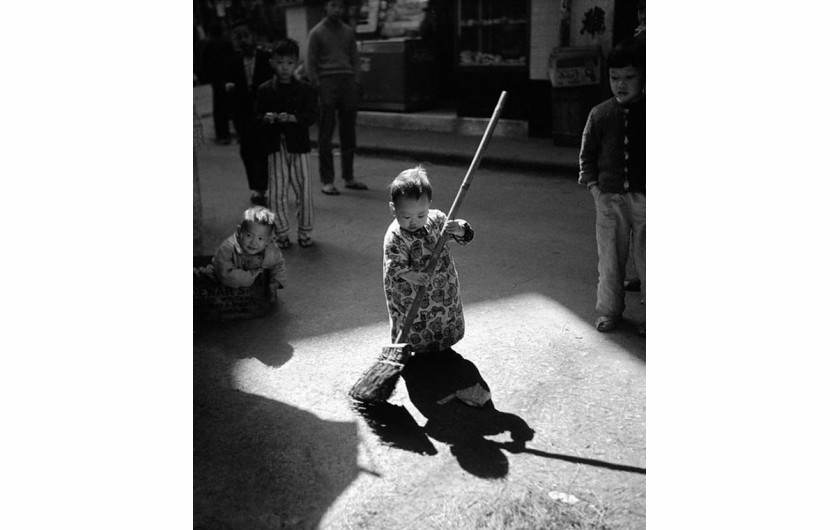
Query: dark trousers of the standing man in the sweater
[339,95]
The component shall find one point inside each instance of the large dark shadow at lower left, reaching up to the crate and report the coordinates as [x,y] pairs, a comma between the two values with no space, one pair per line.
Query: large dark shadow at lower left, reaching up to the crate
[259,463]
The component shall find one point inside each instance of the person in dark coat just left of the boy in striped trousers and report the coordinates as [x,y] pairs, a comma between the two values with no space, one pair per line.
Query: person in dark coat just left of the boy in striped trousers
[248,70]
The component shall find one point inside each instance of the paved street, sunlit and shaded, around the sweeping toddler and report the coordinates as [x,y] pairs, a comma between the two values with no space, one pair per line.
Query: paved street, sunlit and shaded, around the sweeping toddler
[277,444]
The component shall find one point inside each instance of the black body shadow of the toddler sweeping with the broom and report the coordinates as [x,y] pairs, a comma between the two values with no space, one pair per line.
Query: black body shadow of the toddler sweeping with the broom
[432,377]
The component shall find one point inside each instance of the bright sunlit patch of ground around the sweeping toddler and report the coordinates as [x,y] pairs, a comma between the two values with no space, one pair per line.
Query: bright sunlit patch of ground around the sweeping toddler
[583,394]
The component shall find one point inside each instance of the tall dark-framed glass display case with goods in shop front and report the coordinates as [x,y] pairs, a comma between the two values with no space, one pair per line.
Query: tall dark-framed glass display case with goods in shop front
[492,56]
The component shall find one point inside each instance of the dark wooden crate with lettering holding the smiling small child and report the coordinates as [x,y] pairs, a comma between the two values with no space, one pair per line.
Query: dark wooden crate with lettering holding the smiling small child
[214,301]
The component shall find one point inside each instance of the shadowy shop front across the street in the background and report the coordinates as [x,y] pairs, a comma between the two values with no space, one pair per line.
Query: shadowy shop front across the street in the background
[459,55]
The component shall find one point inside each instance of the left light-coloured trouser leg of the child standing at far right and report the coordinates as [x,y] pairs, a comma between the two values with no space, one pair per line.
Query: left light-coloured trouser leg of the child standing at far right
[612,233]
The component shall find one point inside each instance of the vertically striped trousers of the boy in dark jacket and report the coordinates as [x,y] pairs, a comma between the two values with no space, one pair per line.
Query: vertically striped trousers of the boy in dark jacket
[290,169]
